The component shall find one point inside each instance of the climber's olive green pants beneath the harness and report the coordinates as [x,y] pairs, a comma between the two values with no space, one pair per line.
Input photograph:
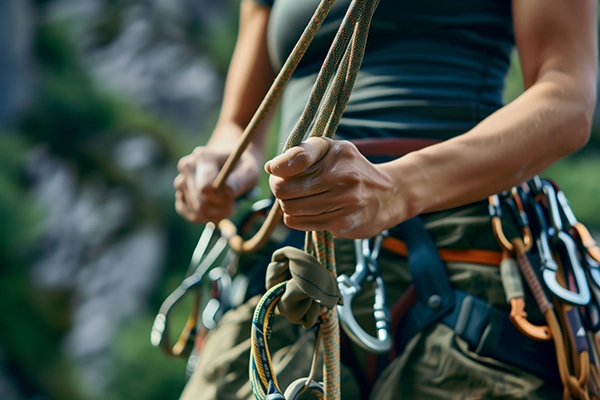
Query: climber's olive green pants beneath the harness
[436,363]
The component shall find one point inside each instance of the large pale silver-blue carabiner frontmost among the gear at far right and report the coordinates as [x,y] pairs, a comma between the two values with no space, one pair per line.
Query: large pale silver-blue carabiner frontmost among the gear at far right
[566,247]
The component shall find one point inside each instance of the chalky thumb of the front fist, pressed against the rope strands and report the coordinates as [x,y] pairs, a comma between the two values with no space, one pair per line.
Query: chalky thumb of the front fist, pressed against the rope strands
[299,158]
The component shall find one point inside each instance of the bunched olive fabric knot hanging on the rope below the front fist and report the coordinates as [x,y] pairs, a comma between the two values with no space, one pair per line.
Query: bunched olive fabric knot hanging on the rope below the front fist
[310,285]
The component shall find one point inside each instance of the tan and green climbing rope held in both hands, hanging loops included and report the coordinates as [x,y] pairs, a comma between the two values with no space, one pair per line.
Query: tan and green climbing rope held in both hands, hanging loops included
[323,112]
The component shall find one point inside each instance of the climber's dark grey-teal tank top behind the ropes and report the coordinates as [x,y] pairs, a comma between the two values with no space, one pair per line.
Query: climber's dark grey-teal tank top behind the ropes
[432,68]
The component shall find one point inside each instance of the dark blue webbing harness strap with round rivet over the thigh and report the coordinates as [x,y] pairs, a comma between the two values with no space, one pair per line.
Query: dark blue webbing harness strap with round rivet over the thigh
[488,330]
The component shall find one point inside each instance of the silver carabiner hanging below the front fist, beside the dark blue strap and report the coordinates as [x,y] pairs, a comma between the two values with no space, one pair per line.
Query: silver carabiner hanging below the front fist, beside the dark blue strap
[367,270]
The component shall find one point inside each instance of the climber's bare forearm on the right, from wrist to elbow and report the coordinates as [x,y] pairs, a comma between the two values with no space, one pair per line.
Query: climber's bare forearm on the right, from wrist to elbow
[550,120]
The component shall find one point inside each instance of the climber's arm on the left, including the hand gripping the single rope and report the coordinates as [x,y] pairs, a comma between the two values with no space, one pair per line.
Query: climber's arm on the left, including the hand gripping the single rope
[248,79]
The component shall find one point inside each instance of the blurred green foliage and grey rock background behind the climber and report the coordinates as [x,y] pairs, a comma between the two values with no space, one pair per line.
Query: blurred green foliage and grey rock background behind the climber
[98,100]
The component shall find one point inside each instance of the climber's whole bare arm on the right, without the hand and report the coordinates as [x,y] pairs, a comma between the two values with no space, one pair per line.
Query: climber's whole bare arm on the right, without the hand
[552,118]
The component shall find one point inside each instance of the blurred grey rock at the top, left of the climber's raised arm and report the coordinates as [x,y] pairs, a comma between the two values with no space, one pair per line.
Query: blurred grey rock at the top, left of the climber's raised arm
[150,52]
